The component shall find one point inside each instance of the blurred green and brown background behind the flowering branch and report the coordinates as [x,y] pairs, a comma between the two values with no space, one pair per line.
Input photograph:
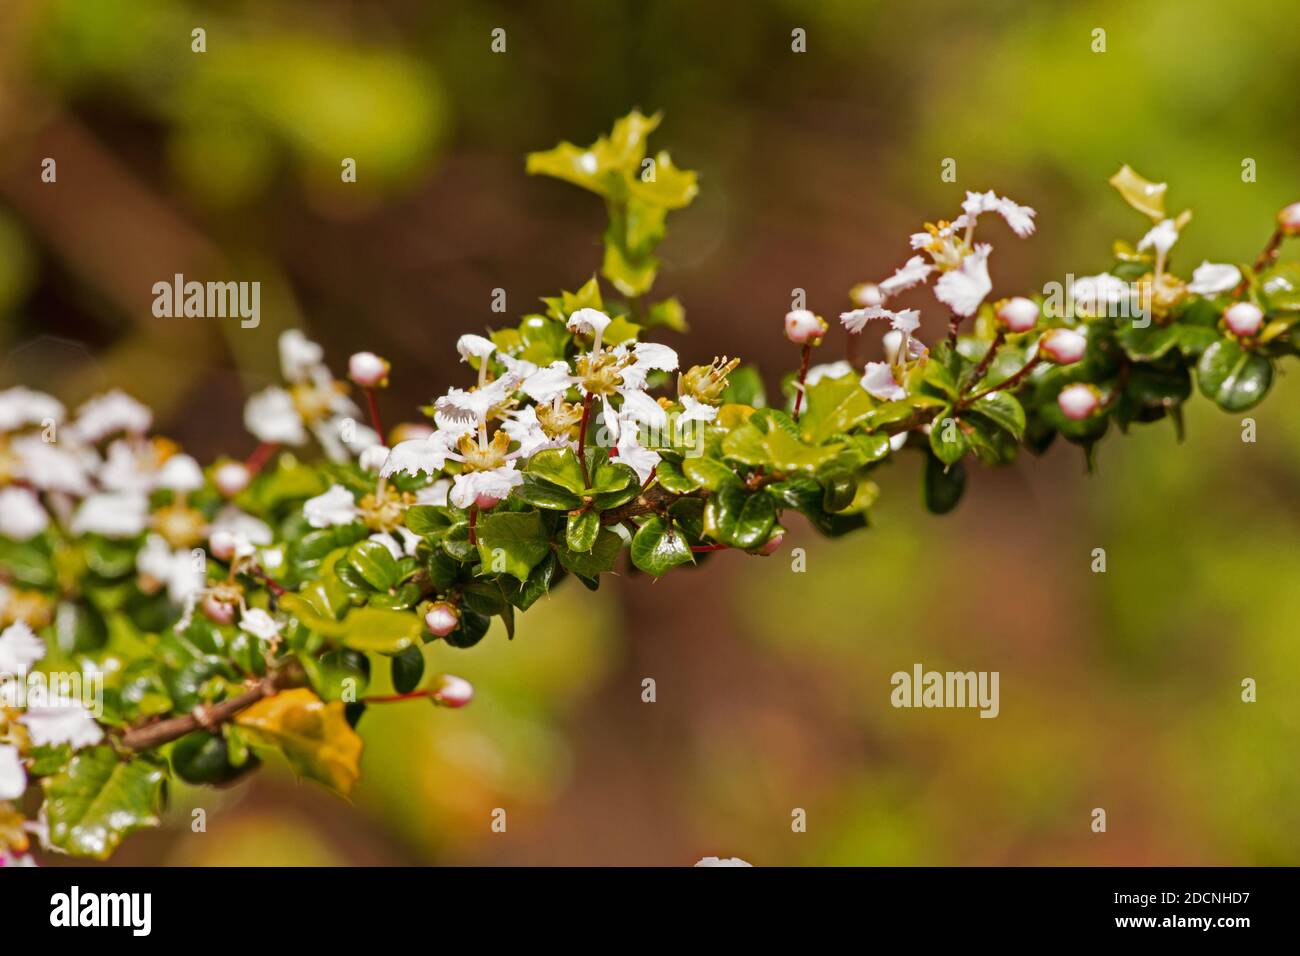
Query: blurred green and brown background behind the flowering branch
[1119,690]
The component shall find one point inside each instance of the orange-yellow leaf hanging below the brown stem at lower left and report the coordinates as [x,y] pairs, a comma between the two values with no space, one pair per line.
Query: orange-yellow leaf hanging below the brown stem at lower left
[314,737]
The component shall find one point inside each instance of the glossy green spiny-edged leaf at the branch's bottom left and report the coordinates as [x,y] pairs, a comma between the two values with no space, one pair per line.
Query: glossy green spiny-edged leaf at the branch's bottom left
[101,799]
